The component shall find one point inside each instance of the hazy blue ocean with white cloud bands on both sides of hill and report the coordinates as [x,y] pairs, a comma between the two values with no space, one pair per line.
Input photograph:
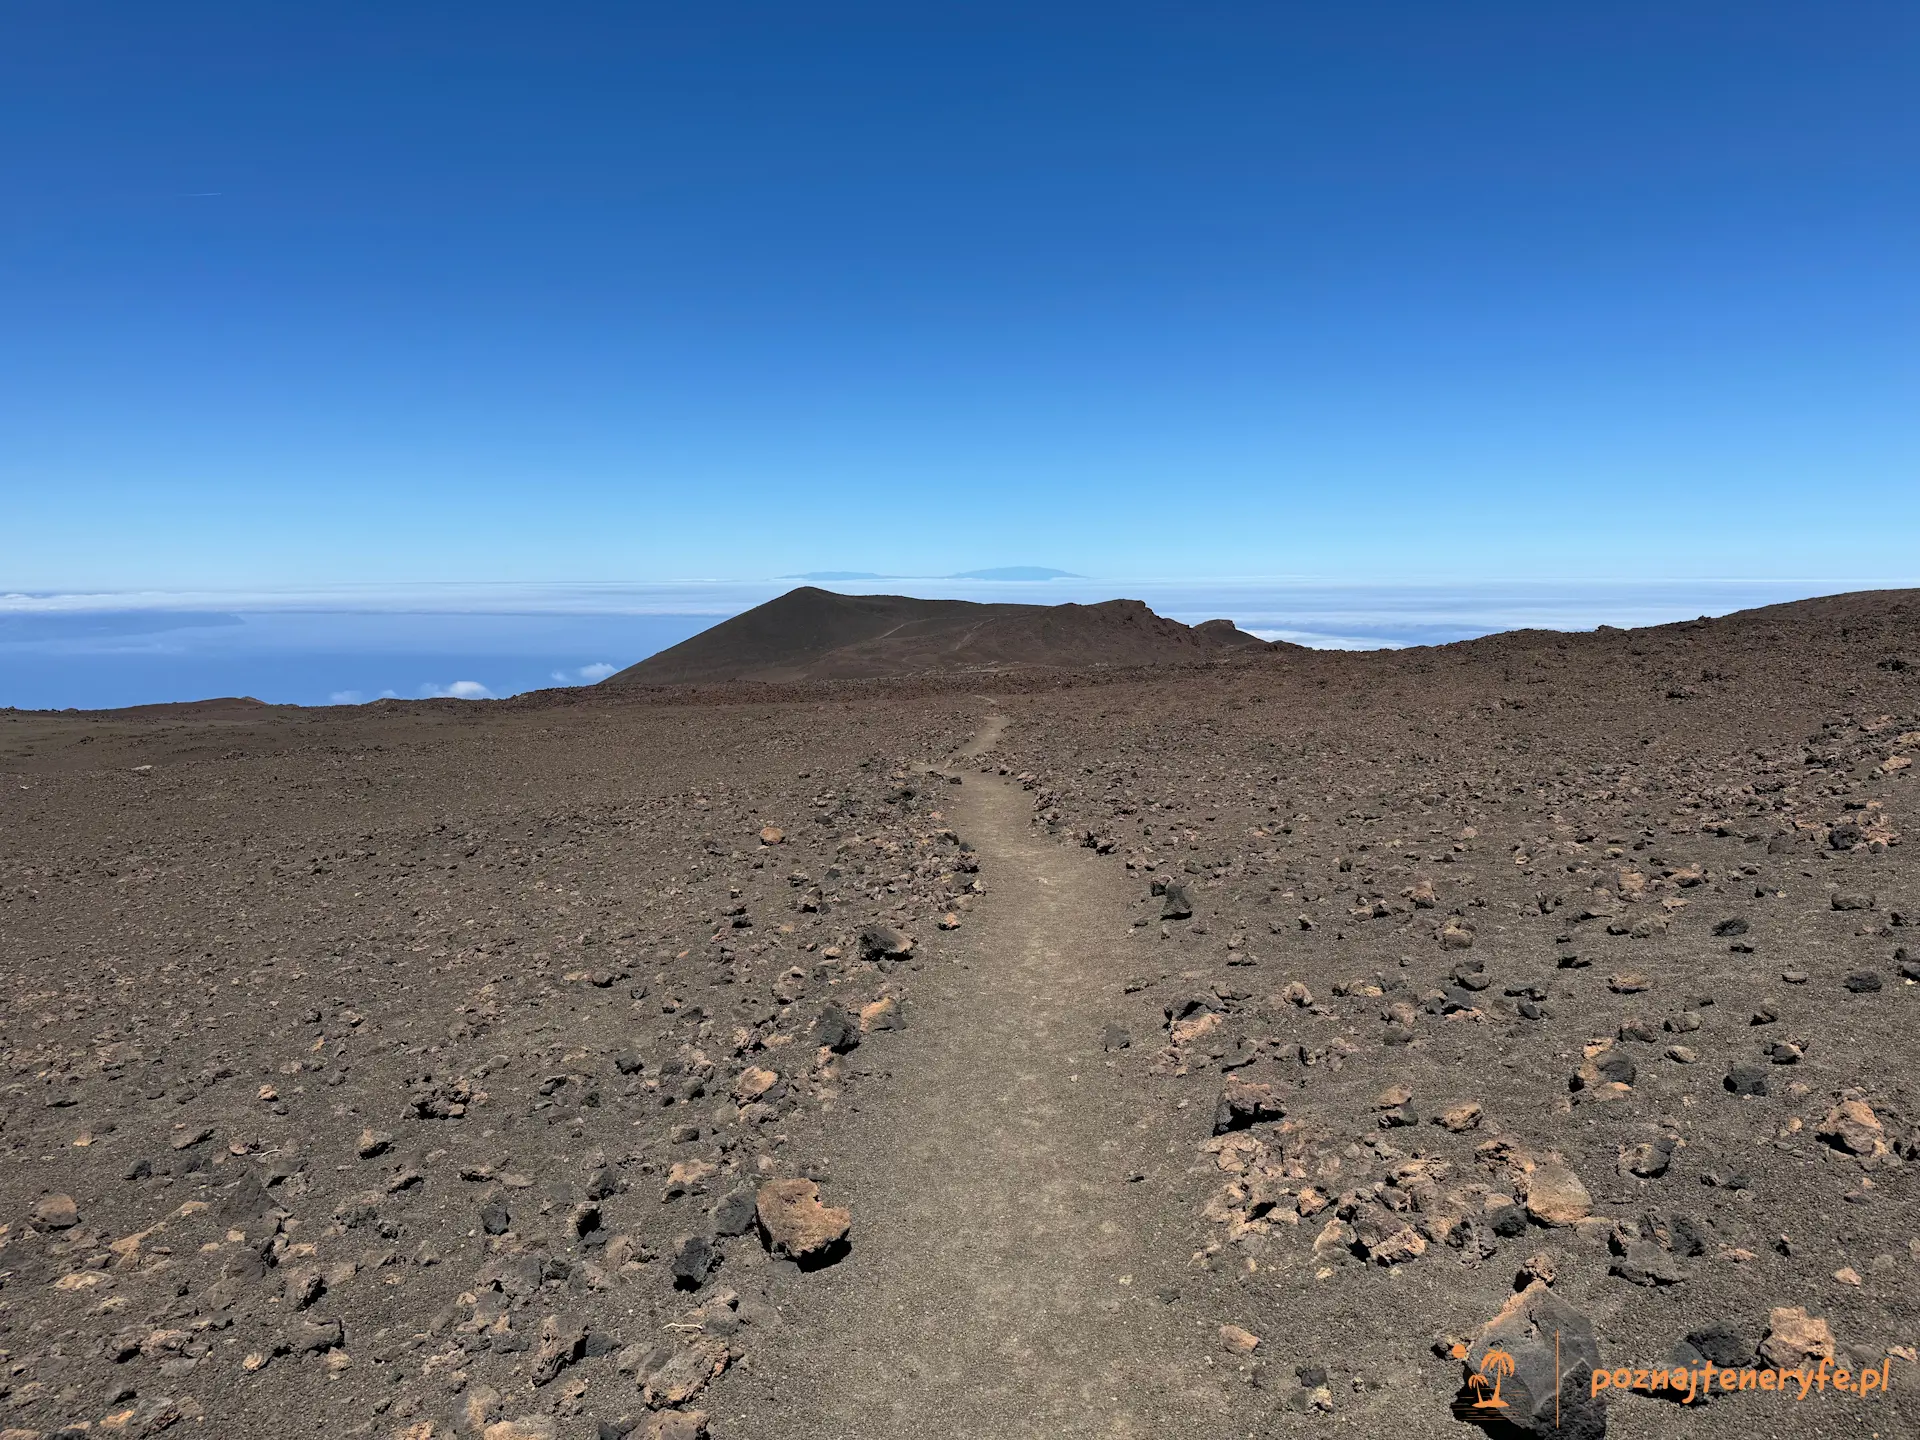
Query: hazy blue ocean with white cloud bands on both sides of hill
[347,646]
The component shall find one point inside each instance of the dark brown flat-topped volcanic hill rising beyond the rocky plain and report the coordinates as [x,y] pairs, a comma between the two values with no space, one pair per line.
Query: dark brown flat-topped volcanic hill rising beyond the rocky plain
[817,635]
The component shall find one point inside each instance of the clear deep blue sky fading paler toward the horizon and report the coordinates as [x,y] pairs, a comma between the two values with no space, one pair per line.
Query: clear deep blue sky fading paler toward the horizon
[377,293]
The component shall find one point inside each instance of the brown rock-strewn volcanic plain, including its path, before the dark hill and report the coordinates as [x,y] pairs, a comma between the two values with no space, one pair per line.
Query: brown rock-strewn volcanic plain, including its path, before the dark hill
[1234,1047]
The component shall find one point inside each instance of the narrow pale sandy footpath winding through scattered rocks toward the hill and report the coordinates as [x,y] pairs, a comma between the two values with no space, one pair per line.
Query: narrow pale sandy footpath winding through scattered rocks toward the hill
[1009,1278]
